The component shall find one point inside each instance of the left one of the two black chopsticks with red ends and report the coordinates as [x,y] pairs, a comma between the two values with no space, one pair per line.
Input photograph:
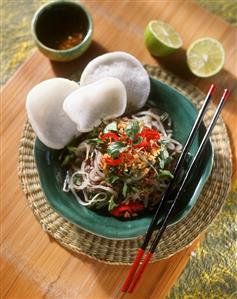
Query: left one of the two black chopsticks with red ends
[178,166]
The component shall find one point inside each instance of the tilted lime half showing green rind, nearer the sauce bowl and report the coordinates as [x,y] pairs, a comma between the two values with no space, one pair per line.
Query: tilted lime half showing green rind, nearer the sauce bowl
[161,39]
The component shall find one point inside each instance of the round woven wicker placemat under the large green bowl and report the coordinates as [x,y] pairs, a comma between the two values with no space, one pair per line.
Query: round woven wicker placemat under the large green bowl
[176,237]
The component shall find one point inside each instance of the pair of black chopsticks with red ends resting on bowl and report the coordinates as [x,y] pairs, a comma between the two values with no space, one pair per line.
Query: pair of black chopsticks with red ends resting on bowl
[138,267]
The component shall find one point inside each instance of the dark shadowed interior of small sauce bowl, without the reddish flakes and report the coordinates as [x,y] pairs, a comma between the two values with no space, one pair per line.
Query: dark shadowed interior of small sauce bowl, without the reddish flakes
[57,21]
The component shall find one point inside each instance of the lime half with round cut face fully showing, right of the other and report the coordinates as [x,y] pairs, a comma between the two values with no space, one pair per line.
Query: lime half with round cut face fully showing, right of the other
[205,57]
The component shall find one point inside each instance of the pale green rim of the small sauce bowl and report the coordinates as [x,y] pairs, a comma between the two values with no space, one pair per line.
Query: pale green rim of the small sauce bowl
[67,2]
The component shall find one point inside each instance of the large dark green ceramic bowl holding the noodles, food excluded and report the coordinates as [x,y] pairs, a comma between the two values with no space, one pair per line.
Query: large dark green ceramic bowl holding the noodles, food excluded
[183,115]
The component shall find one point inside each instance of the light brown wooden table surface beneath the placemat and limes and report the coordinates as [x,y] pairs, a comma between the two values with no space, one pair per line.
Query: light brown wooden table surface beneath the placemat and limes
[32,265]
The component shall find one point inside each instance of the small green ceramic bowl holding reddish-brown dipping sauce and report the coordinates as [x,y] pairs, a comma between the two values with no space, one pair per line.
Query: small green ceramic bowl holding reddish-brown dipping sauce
[60,23]
